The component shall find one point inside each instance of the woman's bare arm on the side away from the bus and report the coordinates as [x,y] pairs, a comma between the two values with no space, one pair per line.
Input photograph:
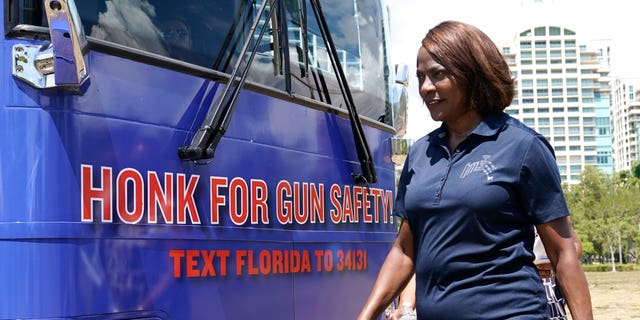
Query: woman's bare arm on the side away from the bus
[559,242]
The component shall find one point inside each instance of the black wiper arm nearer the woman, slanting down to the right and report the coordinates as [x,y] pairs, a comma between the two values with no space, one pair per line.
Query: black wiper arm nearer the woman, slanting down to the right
[365,157]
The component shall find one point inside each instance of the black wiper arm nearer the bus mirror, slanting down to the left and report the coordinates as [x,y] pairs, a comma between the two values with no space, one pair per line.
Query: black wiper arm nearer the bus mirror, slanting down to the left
[206,139]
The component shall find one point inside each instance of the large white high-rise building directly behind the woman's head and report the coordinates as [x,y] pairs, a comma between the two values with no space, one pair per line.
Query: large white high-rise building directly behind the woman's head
[563,92]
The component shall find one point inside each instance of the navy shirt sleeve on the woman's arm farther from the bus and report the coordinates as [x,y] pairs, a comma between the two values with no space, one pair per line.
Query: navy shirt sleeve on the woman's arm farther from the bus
[540,186]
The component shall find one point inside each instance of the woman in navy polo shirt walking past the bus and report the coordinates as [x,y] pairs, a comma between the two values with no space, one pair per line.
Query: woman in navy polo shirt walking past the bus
[470,194]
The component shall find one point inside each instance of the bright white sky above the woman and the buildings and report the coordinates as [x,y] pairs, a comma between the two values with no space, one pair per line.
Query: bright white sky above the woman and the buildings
[502,20]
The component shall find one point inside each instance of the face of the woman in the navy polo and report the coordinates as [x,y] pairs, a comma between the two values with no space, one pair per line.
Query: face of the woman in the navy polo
[439,92]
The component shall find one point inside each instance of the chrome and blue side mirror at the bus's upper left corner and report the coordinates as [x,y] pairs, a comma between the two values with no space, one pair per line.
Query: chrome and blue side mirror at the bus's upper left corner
[60,63]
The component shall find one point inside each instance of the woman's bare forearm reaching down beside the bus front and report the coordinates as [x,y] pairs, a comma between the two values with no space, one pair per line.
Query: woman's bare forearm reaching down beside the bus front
[393,276]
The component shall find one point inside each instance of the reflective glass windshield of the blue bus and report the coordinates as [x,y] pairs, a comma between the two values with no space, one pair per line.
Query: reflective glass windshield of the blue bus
[211,34]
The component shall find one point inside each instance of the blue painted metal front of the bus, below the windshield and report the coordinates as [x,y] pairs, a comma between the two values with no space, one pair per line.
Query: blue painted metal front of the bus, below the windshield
[132,117]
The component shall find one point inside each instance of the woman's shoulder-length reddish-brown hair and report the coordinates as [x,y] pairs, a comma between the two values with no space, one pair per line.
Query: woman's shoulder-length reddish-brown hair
[475,63]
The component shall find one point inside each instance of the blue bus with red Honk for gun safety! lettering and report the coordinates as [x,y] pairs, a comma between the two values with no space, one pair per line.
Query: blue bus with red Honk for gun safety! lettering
[195,159]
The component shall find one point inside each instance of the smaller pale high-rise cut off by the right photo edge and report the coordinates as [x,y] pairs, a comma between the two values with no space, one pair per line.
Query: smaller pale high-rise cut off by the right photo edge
[625,116]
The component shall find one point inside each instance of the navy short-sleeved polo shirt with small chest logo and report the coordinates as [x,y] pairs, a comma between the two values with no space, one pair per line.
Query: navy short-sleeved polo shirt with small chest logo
[472,213]
